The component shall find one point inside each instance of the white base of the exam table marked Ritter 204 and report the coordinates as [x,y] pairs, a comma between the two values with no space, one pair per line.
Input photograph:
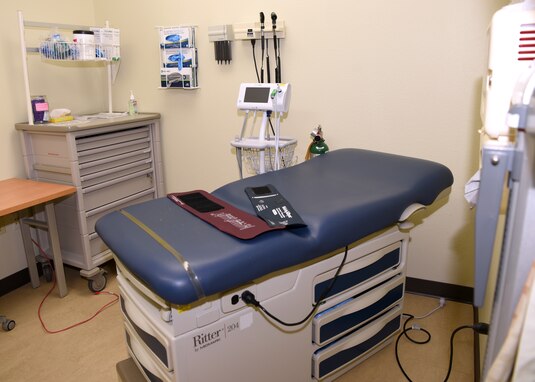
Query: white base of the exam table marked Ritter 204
[218,340]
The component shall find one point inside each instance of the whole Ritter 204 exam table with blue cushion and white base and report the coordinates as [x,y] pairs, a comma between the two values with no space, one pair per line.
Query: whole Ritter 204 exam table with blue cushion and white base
[181,279]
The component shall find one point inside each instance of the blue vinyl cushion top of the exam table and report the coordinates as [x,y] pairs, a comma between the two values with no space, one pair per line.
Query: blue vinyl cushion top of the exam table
[342,196]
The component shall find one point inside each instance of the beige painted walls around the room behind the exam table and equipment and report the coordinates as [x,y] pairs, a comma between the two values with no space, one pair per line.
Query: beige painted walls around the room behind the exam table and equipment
[401,77]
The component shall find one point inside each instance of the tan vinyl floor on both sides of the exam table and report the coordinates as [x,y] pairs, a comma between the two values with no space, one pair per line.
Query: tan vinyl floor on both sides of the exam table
[90,352]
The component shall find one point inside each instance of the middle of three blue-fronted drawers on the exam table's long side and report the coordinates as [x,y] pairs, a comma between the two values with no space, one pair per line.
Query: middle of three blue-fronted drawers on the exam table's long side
[342,318]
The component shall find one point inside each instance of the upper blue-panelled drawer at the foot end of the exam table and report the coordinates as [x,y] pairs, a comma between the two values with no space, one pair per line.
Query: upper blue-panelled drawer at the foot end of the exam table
[151,337]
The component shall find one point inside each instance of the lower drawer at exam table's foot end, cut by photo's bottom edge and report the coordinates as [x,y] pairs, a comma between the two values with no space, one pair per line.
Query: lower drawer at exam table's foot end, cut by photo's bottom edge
[143,358]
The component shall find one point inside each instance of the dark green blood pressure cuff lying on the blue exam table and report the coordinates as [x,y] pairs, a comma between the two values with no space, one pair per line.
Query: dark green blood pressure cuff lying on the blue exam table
[273,208]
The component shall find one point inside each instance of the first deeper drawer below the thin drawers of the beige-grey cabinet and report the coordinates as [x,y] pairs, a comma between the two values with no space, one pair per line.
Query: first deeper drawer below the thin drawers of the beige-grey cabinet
[111,191]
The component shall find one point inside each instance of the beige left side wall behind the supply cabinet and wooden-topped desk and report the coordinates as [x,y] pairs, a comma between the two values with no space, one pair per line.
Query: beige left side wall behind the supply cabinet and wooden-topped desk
[61,83]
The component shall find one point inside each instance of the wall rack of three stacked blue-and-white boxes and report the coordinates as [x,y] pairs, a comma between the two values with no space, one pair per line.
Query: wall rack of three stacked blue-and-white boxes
[178,57]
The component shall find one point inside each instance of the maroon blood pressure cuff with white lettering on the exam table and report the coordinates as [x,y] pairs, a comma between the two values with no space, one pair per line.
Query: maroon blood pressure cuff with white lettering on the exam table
[223,216]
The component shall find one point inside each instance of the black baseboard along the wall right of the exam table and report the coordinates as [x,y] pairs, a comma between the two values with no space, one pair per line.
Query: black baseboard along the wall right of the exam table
[452,292]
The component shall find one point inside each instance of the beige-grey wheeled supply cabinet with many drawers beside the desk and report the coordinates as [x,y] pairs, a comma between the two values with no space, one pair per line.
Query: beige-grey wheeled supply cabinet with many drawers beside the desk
[112,163]
